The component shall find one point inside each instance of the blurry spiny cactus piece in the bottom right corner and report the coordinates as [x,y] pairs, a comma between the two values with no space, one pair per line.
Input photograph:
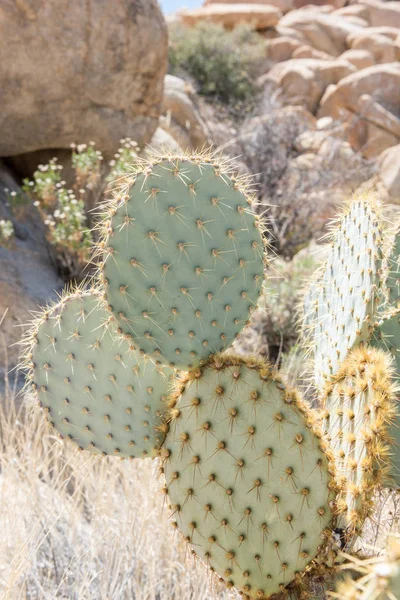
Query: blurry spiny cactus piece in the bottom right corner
[379,577]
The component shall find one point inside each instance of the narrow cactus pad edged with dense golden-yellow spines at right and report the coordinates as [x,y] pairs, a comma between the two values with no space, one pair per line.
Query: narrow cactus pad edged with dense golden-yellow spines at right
[359,407]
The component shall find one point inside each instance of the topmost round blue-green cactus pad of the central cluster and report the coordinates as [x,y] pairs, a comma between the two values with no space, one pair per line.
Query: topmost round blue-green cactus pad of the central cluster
[183,259]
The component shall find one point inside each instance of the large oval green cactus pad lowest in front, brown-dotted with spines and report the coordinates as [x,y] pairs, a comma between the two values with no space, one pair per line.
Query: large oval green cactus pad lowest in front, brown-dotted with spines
[247,475]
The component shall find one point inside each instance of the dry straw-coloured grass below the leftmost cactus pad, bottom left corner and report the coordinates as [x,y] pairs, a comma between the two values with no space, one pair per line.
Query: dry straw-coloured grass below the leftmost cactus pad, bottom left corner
[78,527]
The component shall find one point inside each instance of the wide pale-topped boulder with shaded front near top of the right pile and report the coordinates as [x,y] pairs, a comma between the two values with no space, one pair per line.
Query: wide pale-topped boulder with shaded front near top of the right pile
[325,32]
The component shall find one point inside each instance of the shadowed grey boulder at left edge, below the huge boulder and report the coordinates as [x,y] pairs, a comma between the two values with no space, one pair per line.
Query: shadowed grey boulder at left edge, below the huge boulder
[27,277]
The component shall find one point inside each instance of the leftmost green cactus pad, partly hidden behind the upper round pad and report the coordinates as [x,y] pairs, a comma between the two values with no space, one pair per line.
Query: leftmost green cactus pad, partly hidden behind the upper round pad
[95,390]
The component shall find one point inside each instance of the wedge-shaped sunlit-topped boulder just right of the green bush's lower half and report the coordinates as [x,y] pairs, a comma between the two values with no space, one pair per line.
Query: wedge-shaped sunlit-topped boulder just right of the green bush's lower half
[303,81]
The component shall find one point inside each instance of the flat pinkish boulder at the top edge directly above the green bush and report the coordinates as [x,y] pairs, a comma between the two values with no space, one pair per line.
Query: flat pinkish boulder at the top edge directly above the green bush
[258,16]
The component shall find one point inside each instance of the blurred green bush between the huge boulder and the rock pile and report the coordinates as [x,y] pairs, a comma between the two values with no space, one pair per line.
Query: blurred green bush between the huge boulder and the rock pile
[224,64]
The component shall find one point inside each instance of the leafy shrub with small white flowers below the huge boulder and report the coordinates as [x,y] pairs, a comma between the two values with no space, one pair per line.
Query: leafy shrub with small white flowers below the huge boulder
[63,209]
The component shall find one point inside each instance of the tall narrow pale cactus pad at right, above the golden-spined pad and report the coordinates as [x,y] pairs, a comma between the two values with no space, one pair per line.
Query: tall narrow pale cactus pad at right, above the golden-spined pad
[342,307]
